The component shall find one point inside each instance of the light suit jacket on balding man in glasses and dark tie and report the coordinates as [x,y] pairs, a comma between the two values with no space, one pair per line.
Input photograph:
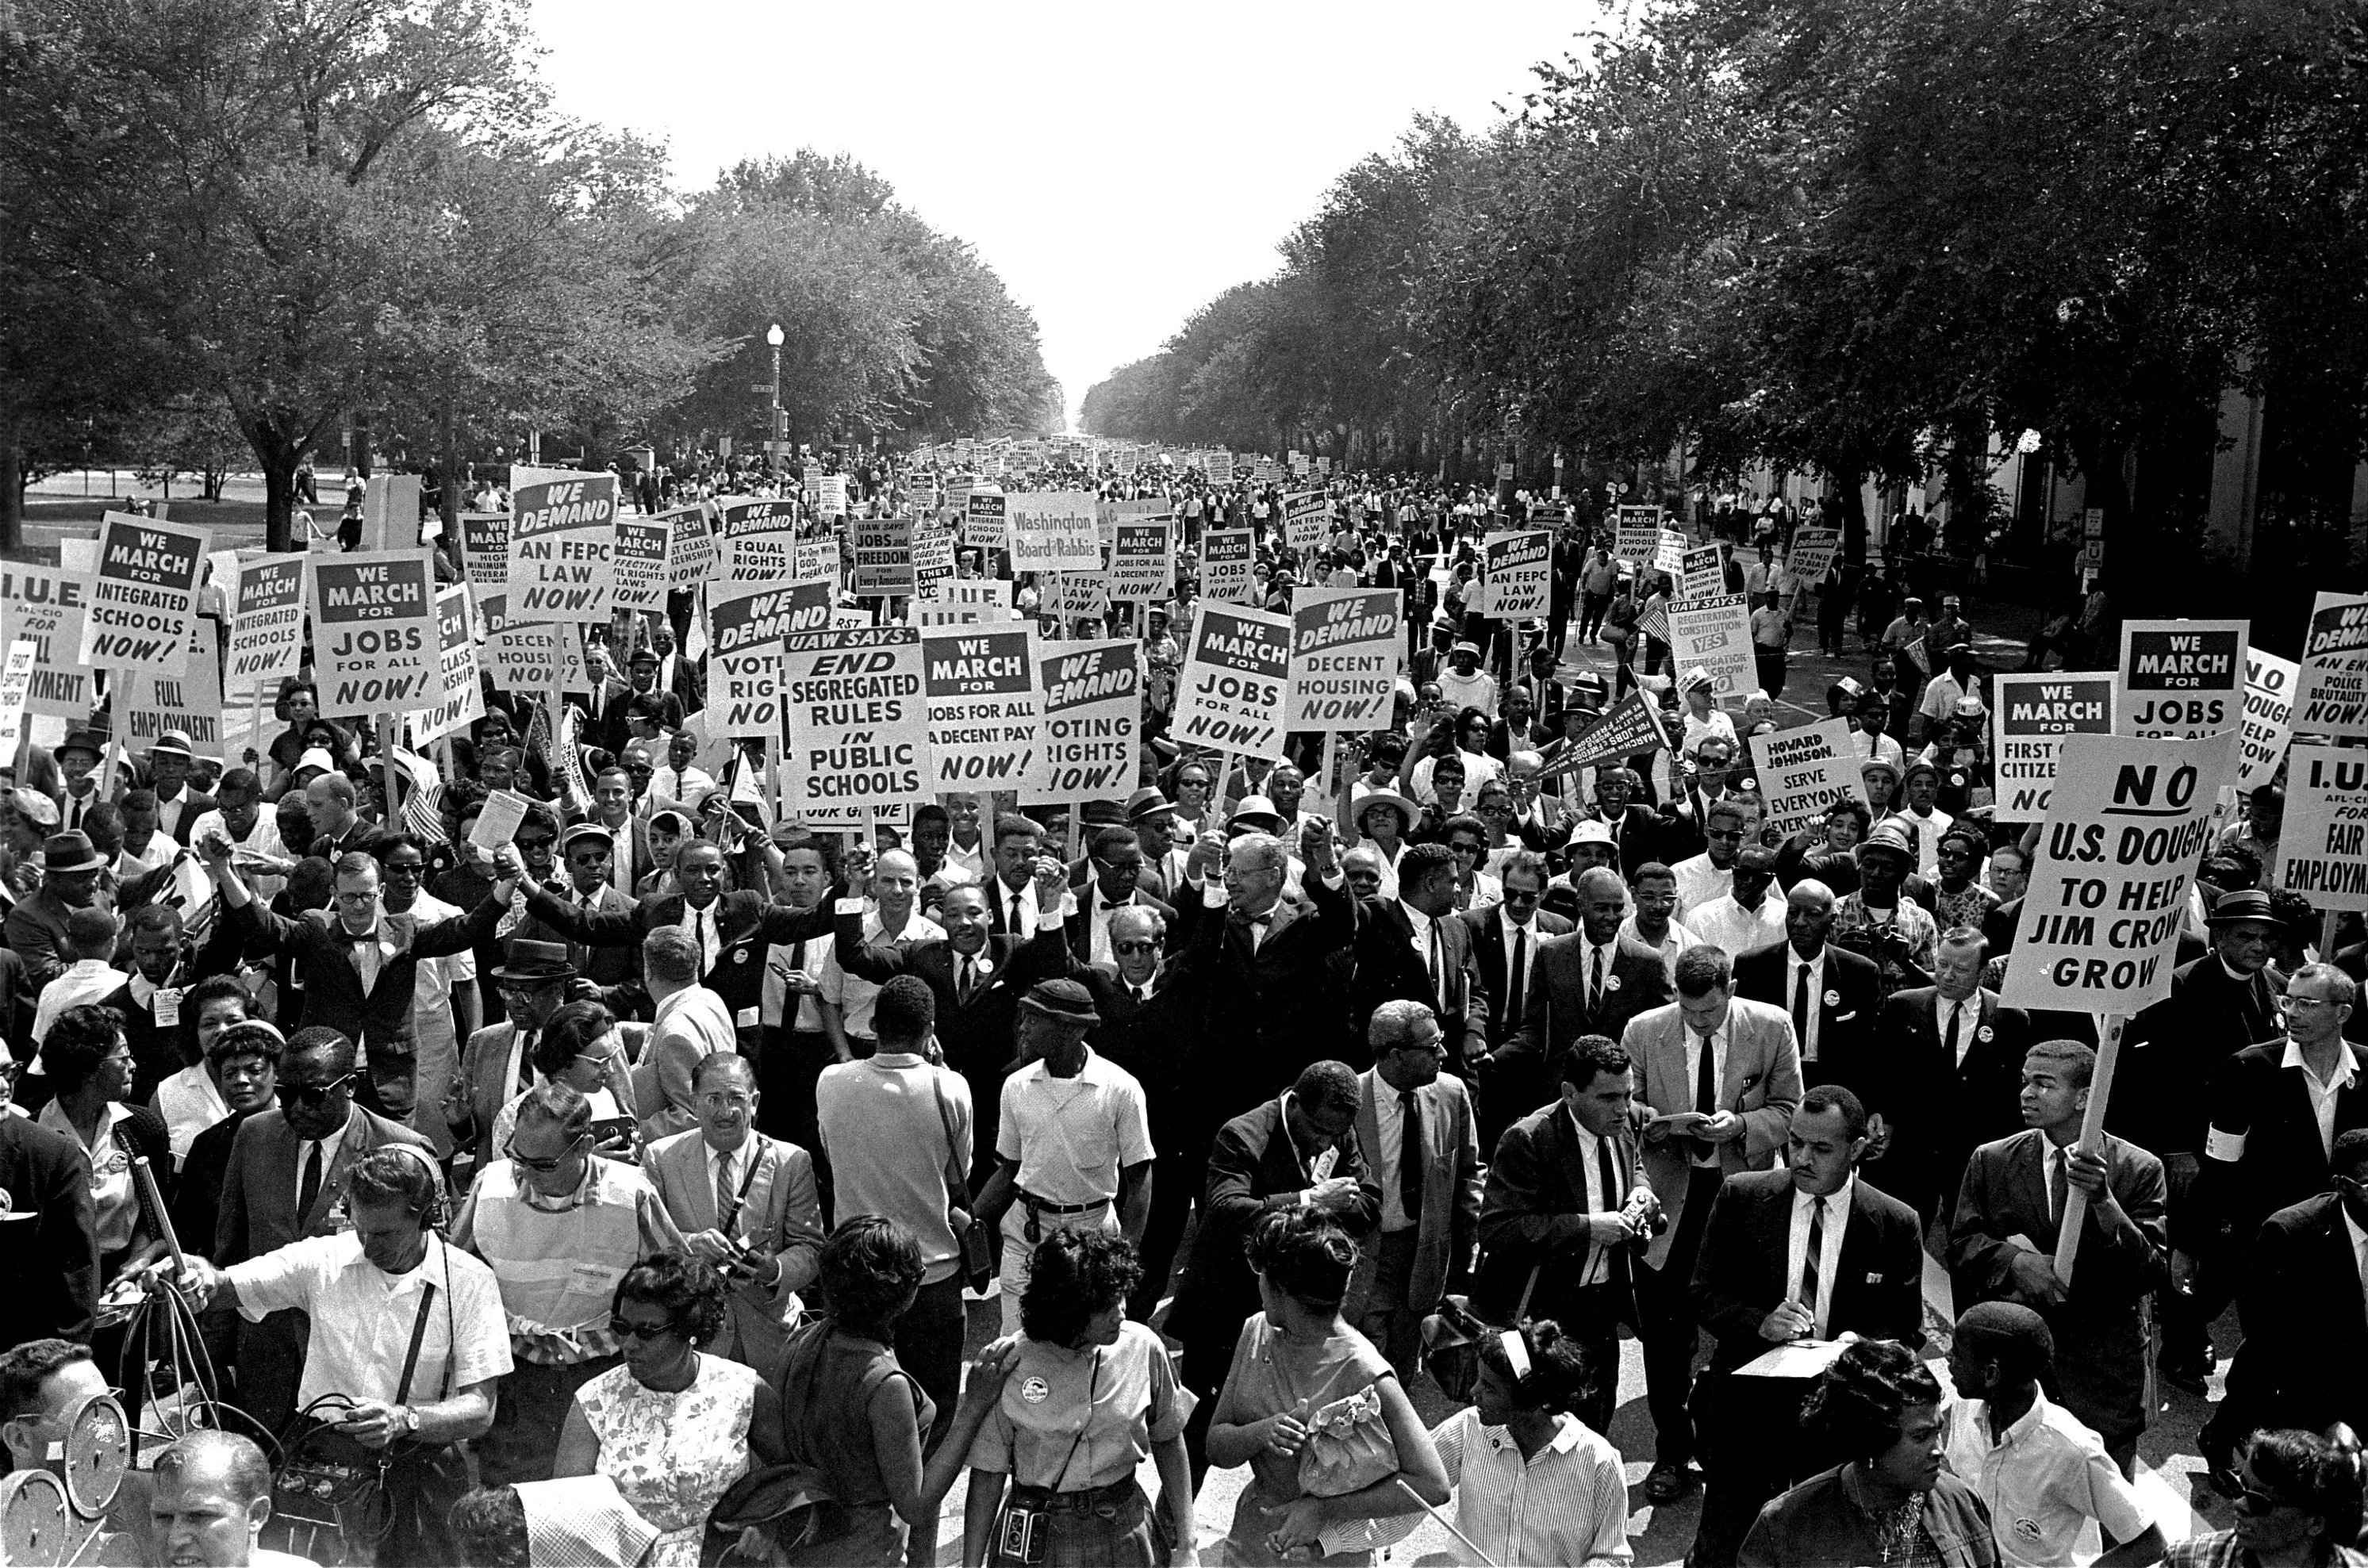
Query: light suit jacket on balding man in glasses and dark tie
[780,1216]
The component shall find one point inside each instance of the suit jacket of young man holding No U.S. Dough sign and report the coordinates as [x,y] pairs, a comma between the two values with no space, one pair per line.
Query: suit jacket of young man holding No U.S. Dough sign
[2099,1335]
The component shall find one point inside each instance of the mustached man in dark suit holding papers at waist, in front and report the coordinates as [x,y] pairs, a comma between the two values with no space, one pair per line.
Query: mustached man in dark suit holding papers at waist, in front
[1808,1252]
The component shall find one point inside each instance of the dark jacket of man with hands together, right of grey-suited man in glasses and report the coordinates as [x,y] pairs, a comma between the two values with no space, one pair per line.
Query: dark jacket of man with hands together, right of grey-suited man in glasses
[1533,1216]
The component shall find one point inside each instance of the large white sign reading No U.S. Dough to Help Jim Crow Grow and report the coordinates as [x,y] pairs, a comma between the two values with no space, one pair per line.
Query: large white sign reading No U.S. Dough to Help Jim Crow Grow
[2118,854]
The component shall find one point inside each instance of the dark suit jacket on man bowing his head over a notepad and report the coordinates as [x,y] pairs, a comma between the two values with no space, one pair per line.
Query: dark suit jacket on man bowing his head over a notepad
[1251,1169]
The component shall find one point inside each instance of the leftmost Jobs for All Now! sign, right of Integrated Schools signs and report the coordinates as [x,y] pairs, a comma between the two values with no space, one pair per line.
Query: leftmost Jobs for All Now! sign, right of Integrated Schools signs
[375,638]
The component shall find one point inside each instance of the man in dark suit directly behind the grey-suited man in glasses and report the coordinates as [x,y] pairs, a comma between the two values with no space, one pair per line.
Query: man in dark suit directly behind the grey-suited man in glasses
[1413,949]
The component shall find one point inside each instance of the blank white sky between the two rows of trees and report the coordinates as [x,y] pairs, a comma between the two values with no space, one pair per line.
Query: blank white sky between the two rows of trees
[1117,167]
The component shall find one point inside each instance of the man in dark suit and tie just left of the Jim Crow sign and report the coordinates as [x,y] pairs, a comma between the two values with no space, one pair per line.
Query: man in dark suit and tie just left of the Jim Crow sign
[1955,1074]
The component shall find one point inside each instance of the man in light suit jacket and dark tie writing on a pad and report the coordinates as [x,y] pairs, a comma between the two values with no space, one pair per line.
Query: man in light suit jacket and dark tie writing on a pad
[1718,1081]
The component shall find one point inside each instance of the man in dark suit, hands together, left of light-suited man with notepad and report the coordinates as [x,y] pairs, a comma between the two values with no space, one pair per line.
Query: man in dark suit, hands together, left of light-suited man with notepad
[1562,1221]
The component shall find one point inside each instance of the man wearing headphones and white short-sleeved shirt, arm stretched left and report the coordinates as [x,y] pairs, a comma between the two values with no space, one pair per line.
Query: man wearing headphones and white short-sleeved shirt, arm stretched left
[406,1344]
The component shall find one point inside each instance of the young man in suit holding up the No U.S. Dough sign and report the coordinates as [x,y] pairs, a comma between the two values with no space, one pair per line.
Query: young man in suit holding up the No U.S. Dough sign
[2009,1214]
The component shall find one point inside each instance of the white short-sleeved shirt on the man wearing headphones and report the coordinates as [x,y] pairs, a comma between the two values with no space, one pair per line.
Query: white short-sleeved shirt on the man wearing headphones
[363,1318]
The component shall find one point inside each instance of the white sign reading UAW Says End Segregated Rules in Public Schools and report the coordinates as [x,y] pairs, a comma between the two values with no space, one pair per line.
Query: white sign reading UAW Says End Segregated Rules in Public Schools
[856,724]
